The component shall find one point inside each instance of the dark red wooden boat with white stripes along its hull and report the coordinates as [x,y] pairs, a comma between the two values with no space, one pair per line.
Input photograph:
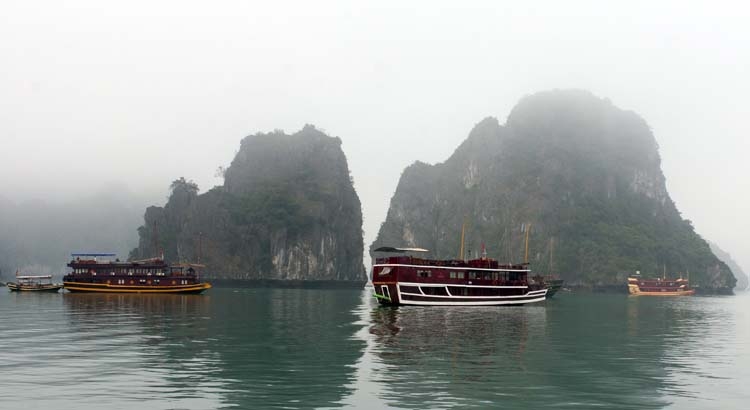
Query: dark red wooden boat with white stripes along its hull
[408,280]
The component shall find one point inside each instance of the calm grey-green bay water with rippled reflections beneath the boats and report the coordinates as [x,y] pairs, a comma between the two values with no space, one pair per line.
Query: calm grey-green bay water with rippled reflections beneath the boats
[292,348]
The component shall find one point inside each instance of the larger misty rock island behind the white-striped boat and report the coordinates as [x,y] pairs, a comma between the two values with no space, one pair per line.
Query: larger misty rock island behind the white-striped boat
[583,173]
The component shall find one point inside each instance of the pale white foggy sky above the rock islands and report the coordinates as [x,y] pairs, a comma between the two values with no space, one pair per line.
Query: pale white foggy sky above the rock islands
[98,93]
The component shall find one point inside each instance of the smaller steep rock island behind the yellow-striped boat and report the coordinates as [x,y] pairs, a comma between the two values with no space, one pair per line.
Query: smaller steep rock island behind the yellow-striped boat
[287,211]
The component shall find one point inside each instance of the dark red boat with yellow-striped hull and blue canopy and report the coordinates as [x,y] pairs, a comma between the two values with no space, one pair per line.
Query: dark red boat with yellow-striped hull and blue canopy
[98,272]
